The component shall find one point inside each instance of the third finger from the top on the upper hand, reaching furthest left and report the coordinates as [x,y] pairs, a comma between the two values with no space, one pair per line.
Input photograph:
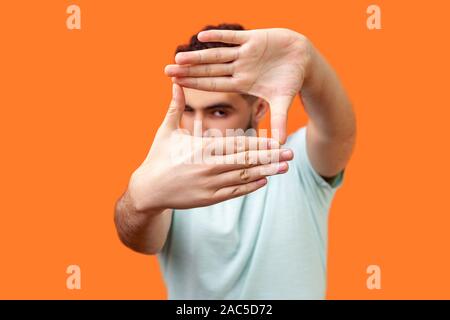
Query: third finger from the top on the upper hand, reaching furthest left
[205,70]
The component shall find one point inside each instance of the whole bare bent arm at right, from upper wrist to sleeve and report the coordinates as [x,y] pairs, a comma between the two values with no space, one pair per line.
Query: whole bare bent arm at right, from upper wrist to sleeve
[331,129]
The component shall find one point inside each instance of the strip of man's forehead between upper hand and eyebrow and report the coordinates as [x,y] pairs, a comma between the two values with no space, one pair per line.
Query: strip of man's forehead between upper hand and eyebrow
[202,99]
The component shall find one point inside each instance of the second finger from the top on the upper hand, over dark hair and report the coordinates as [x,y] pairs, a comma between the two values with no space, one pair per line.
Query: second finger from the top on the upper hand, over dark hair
[213,55]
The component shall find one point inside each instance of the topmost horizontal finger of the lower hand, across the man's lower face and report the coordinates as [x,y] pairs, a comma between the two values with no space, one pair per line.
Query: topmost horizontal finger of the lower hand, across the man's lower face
[230,145]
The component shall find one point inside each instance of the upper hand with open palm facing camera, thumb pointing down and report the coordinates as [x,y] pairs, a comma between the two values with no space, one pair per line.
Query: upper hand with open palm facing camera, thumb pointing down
[268,63]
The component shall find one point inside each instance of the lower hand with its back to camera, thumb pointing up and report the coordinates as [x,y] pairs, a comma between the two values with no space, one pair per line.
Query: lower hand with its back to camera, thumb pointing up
[164,182]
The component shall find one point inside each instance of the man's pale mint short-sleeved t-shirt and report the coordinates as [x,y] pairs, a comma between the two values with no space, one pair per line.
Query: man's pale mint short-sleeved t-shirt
[270,244]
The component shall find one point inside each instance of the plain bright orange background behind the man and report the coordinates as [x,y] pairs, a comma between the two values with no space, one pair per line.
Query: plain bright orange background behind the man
[79,110]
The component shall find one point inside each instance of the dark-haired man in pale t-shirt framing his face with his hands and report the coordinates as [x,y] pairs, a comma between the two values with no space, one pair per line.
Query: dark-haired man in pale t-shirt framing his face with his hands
[229,231]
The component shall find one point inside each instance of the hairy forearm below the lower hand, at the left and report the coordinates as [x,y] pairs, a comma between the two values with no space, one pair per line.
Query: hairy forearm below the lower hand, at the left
[143,232]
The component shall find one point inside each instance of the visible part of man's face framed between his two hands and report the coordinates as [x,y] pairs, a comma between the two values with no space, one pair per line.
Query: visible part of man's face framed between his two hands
[218,110]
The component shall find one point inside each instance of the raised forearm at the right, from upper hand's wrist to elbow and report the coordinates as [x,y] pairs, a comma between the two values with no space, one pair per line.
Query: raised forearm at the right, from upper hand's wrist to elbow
[326,102]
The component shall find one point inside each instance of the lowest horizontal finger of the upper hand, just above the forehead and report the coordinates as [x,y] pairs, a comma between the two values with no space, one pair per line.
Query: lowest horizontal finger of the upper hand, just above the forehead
[217,84]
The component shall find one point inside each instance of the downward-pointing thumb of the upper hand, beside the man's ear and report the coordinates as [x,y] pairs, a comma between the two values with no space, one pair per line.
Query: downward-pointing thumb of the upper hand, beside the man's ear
[279,107]
